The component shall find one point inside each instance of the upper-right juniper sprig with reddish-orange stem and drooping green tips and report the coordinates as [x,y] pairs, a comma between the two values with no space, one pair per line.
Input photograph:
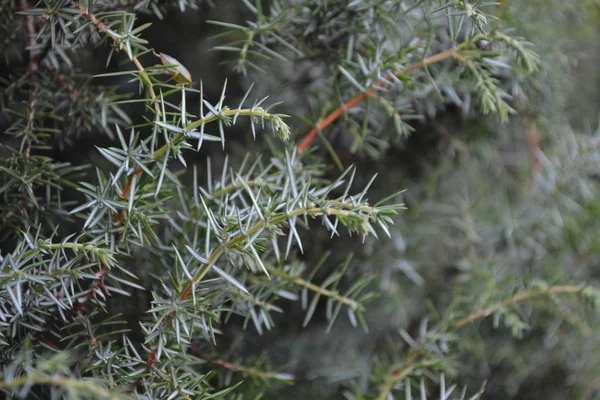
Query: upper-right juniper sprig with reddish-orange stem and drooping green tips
[382,72]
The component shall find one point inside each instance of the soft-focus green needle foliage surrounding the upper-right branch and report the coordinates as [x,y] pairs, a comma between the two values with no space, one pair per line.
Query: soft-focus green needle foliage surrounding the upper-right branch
[395,43]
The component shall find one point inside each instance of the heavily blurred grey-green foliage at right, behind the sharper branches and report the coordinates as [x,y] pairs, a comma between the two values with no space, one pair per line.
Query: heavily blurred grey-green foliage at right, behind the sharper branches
[489,206]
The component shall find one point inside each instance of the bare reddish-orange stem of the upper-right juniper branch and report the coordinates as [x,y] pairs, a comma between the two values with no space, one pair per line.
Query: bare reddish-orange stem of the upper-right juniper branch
[346,106]
